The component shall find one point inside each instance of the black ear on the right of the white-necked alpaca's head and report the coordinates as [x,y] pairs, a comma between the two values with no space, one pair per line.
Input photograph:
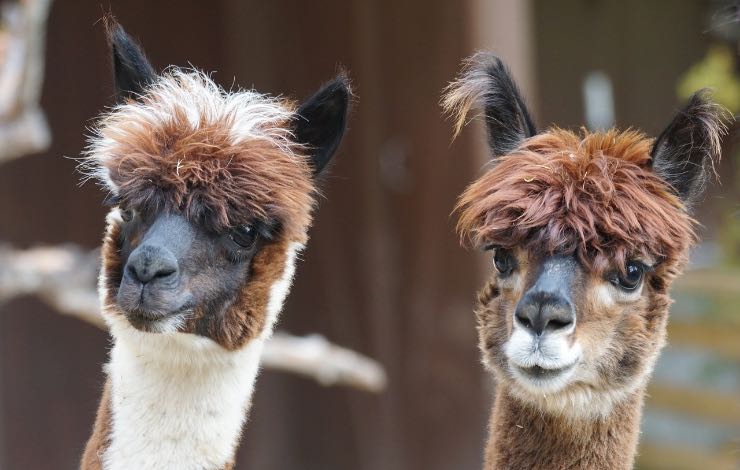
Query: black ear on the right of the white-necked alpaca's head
[322,120]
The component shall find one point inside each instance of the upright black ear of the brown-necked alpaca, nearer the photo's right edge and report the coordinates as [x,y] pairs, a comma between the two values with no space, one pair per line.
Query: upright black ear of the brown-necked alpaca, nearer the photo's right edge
[685,152]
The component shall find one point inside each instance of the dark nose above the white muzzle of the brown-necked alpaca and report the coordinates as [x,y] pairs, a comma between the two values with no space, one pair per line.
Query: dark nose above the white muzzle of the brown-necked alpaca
[541,312]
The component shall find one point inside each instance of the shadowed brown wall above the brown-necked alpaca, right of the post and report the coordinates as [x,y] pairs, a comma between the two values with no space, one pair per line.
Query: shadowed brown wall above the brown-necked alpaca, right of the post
[644,47]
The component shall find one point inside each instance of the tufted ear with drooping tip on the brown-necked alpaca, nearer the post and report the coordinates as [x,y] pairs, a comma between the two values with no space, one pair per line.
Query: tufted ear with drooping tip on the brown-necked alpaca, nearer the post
[486,83]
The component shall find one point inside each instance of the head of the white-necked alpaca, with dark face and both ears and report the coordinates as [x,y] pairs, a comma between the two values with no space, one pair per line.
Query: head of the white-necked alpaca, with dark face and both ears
[211,194]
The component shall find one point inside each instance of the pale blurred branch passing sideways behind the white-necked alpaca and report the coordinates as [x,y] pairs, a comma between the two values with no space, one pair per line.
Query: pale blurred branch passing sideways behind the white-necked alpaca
[65,278]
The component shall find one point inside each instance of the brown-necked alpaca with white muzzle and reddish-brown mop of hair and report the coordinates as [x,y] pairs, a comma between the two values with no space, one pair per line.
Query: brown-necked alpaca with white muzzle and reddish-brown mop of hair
[587,232]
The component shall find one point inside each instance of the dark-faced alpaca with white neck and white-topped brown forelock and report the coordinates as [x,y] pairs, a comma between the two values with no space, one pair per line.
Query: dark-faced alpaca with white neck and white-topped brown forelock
[212,193]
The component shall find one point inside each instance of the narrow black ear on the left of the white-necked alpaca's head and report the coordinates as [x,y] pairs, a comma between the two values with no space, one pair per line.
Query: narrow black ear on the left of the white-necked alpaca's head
[132,72]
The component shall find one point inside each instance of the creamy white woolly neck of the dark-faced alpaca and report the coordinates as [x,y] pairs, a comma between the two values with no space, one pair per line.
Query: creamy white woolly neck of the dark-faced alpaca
[180,403]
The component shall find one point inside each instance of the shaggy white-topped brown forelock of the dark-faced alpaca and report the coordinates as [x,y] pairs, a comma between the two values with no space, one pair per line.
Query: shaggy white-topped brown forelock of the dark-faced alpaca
[222,158]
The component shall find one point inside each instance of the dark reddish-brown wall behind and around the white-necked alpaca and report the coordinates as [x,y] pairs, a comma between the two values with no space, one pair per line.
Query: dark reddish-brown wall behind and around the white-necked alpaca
[383,273]
